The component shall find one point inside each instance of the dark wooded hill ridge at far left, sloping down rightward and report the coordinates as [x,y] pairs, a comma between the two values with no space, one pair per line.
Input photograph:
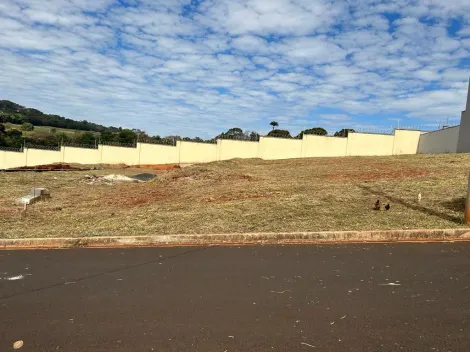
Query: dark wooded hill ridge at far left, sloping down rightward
[16,114]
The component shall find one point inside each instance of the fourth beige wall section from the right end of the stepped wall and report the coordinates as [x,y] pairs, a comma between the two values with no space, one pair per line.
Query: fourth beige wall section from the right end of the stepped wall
[279,148]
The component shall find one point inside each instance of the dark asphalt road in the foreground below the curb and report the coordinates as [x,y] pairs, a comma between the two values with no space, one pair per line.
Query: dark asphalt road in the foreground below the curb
[363,297]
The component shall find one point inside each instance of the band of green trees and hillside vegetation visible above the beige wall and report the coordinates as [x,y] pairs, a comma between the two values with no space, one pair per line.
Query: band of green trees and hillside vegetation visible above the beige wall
[90,134]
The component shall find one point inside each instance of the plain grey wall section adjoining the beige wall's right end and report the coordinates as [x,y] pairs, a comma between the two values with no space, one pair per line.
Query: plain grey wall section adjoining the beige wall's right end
[442,141]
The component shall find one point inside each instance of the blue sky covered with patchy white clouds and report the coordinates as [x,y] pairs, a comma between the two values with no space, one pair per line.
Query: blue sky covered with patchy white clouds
[198,67]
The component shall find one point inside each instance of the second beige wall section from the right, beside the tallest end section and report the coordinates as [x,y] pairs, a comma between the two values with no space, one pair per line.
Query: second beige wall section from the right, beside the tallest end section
[367,144]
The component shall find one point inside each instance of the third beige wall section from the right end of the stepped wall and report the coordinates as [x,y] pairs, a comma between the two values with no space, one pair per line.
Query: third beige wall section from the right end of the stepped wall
[321,146]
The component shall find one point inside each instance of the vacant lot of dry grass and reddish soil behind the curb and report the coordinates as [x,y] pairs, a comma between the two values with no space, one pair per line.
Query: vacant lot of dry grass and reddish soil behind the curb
[245,196]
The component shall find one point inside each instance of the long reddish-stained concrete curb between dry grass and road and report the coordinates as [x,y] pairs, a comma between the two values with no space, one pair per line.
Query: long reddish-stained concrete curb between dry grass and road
[416,235]
